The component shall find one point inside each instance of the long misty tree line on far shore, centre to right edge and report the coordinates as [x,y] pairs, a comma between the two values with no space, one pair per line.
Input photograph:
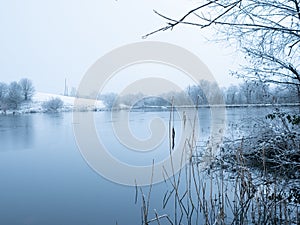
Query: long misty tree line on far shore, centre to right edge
[247,92]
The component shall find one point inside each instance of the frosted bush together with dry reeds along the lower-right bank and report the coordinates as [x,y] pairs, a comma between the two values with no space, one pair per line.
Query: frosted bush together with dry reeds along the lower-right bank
[253,179]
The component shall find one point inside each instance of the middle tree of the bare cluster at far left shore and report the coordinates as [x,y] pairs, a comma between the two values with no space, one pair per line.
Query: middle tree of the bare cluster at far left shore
[14,95]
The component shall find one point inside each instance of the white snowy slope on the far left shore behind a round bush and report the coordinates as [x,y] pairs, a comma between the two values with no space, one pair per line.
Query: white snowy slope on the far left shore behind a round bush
[36,105]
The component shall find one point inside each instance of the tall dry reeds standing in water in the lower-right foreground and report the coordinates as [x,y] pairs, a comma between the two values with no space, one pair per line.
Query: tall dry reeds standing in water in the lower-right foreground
[222,193]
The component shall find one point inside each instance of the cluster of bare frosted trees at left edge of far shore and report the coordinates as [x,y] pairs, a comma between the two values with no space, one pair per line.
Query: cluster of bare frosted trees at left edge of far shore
[12,95]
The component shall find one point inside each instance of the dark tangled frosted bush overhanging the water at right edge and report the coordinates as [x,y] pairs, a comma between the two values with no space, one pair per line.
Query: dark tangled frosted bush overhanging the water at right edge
[273,144]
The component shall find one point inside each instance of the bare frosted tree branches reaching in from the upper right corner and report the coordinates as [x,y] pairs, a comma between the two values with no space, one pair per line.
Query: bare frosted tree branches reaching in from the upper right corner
[266,31]
